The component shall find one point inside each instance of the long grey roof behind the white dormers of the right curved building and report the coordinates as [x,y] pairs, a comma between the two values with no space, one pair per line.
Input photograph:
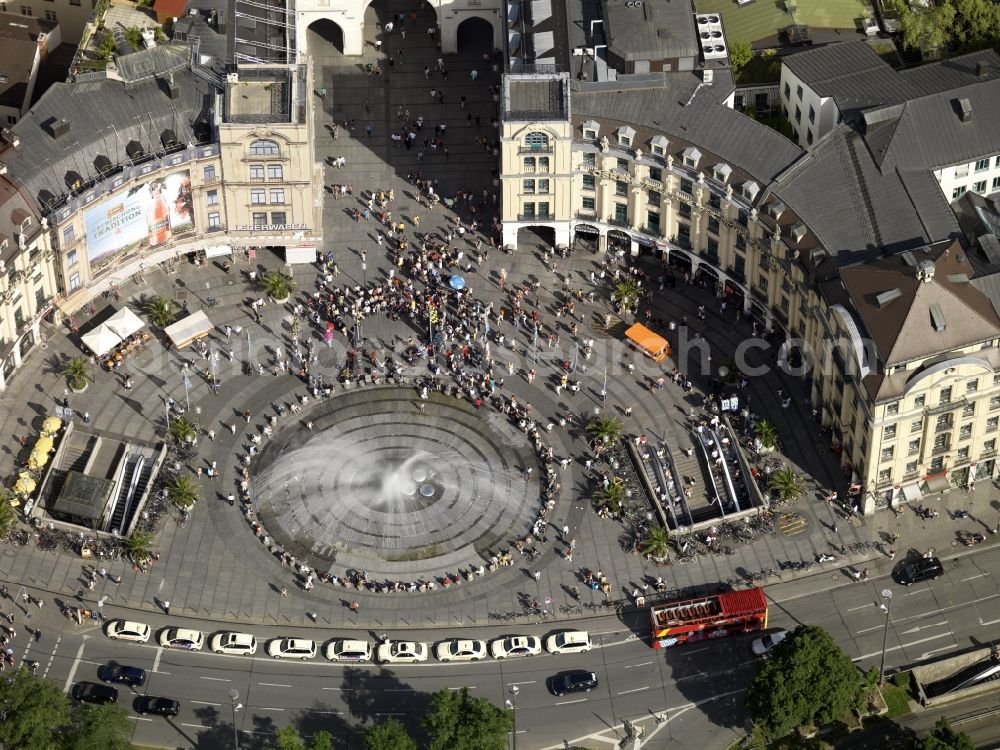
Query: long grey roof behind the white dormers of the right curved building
[707,123]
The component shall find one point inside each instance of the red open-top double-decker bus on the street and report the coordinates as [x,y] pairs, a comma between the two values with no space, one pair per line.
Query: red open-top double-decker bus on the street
[709,617]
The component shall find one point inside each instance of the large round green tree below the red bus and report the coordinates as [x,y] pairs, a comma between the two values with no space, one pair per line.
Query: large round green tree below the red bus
[807,680]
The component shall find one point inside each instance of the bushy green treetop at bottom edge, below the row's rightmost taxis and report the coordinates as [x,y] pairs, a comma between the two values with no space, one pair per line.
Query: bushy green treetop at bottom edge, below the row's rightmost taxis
[457,721]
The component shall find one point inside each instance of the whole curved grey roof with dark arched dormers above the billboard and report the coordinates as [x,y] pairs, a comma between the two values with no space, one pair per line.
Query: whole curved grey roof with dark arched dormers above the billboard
[83,131]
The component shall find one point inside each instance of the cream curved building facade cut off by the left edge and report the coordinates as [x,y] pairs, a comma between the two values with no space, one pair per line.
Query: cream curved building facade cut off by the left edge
[27,278]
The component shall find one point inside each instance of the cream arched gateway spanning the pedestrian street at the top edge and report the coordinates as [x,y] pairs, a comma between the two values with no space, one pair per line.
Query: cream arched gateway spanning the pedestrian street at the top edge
[349,15]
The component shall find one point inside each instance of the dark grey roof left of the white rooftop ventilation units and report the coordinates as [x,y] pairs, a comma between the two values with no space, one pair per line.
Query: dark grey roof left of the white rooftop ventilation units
[650,30]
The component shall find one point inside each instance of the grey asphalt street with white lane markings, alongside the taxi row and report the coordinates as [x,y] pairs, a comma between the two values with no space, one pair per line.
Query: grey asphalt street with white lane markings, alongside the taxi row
[698,687]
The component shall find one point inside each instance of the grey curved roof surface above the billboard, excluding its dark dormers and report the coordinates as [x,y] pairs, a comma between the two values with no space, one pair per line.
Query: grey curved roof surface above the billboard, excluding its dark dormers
[104,116]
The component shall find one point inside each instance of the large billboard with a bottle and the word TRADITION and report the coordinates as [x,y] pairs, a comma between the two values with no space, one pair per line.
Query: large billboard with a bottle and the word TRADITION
[148,214]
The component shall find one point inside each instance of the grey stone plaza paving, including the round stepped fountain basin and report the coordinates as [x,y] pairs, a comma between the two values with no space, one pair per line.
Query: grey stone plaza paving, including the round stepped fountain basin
[375,441]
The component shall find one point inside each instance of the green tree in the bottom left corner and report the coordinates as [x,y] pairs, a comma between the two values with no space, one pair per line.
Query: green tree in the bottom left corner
[33,709]
